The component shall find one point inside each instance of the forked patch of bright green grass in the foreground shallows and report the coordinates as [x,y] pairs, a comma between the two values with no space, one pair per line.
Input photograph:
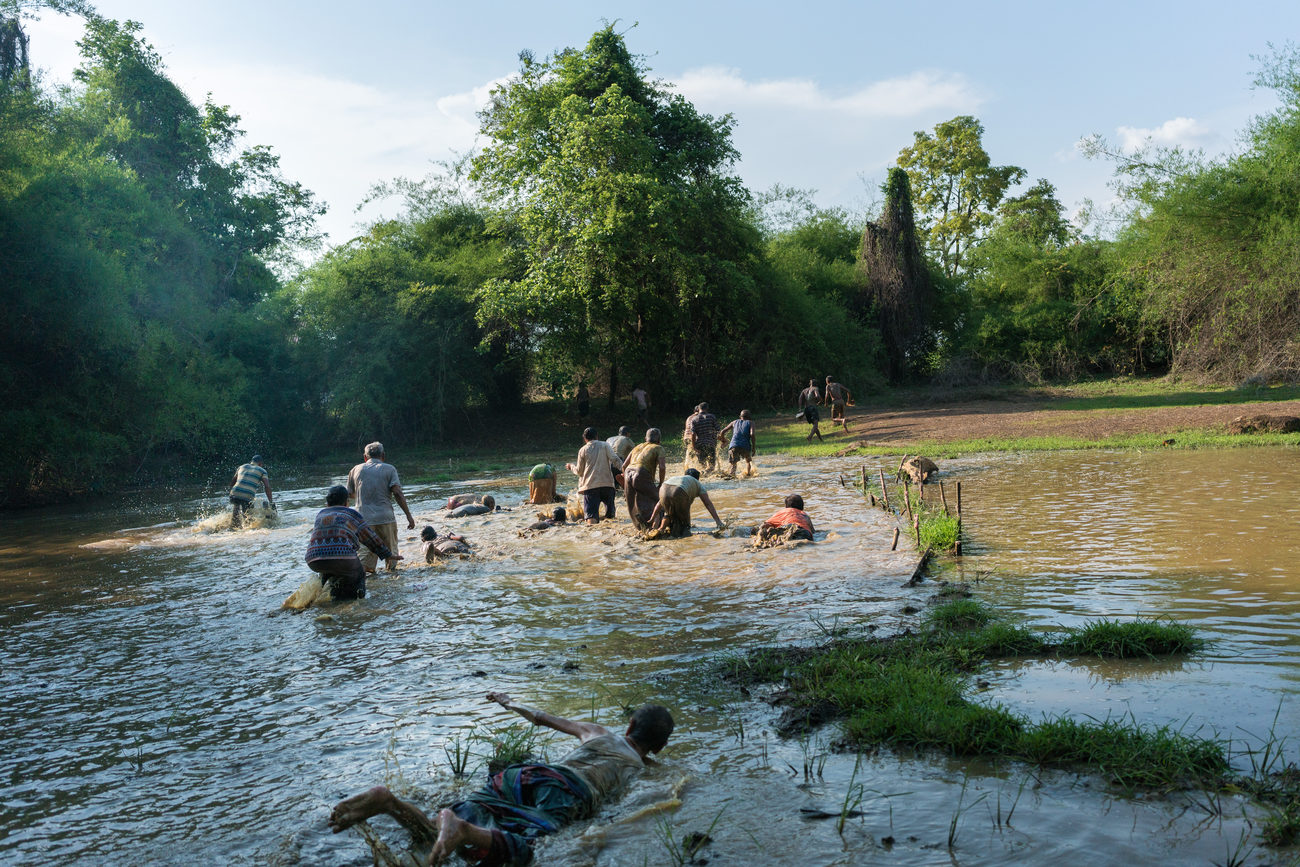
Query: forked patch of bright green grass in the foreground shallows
[911,692]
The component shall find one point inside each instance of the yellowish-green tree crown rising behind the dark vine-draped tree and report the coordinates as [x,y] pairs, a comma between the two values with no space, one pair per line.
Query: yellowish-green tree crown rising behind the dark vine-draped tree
[956,188]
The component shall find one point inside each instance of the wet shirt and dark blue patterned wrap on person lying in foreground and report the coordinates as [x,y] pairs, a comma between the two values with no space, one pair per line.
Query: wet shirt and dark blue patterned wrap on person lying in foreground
[528,801]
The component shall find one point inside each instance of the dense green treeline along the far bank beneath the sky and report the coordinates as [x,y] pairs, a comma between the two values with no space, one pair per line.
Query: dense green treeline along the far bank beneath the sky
[158,317]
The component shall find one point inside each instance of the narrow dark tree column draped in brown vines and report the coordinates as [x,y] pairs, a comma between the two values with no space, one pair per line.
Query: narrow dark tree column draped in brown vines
[896,279]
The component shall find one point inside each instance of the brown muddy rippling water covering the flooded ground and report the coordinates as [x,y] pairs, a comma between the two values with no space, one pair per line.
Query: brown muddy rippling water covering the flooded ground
[158,708]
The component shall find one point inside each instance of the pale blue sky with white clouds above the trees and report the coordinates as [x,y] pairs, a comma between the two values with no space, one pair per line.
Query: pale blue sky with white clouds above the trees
[824,94]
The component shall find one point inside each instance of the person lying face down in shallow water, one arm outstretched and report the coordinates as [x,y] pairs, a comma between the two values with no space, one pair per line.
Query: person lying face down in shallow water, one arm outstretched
[499,823]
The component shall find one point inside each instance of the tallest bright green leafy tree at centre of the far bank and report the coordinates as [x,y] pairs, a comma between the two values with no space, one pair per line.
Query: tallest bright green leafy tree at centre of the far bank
[639,257]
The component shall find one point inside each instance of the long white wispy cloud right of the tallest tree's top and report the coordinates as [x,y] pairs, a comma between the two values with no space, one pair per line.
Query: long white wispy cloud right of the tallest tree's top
[905,97]
